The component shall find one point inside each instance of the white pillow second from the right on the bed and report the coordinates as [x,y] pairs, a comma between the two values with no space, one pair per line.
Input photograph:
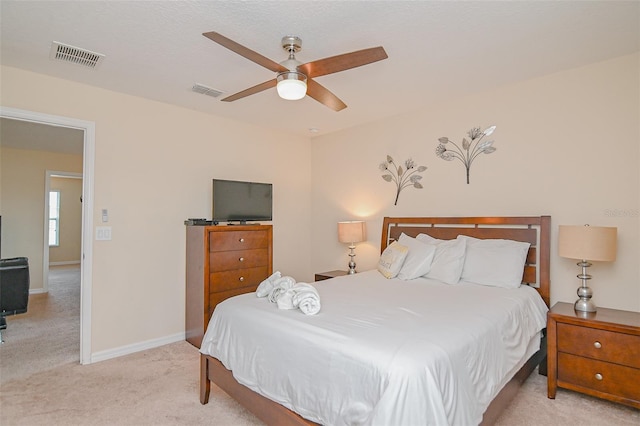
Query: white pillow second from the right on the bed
[448,259]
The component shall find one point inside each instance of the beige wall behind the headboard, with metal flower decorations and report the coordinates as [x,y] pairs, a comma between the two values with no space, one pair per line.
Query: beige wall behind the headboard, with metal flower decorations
[567,146]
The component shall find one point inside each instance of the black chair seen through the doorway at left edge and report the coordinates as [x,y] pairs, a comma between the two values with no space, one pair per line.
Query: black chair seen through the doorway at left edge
[14,288]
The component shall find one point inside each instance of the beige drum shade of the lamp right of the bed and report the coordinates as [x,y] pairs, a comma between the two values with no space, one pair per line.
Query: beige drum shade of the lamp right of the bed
[594,243]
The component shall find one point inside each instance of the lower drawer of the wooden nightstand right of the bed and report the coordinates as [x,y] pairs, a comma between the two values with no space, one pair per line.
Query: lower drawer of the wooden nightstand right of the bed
[599,376]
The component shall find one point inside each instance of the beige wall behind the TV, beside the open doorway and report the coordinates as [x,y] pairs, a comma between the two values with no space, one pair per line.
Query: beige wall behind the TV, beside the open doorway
[153,169]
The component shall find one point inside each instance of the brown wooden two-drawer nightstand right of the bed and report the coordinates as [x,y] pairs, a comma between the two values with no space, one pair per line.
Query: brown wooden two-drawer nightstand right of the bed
[594,353]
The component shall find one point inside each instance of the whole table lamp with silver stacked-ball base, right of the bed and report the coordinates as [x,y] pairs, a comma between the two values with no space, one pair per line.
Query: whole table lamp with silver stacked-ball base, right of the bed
[585,243]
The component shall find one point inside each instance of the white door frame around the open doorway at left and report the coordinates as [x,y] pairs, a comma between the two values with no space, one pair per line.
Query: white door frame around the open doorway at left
[86,262]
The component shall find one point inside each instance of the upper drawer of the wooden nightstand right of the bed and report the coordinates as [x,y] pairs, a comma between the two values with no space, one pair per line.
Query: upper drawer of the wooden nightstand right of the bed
[599,344]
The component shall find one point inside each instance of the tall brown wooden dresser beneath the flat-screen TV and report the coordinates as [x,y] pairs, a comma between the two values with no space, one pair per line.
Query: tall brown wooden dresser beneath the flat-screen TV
[223,261]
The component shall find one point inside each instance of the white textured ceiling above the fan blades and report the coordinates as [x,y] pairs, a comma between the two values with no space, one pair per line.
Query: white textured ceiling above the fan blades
[437,50]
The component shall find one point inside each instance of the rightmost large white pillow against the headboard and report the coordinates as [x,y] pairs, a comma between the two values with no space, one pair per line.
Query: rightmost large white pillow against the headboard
[498,263]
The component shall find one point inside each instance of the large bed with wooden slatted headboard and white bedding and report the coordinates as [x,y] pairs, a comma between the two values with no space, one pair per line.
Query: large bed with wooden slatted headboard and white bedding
[451,387]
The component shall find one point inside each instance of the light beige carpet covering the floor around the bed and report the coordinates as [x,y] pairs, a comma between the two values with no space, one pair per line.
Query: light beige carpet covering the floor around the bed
[160,387]
